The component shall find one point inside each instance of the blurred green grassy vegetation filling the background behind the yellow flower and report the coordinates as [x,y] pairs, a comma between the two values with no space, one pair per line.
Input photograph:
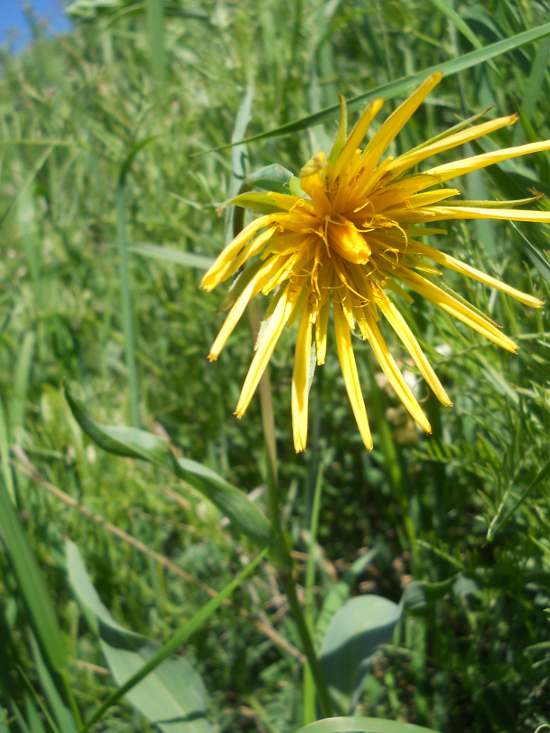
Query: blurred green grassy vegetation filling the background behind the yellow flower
[72,109]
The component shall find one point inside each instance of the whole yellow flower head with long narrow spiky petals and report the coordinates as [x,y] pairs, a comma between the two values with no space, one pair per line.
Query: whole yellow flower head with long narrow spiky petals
[349,239]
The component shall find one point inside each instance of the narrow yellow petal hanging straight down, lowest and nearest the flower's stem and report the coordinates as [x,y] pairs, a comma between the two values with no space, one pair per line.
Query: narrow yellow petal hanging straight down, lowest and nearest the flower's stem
[300,381]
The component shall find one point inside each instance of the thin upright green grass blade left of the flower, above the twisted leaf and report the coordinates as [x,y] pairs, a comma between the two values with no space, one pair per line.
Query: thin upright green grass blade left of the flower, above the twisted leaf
[126,296]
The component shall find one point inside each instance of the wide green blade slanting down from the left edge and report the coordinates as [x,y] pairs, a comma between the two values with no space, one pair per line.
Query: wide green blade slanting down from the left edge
[31,583]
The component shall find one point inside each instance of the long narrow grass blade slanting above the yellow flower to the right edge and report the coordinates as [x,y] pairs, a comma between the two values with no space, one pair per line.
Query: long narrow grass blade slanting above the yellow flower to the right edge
[405,84]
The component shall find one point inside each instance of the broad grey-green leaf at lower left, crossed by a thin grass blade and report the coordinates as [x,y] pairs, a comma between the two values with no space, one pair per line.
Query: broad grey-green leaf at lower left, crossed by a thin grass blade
[172,696]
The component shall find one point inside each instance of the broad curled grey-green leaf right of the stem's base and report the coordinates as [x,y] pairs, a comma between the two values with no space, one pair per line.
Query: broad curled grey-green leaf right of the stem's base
[353,635]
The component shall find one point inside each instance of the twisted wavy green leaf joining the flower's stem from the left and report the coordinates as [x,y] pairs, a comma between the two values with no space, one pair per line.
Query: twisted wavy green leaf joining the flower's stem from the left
[134,443]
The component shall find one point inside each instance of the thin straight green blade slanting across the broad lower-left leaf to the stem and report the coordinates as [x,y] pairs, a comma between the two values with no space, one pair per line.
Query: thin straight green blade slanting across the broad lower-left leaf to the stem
[175,642]
